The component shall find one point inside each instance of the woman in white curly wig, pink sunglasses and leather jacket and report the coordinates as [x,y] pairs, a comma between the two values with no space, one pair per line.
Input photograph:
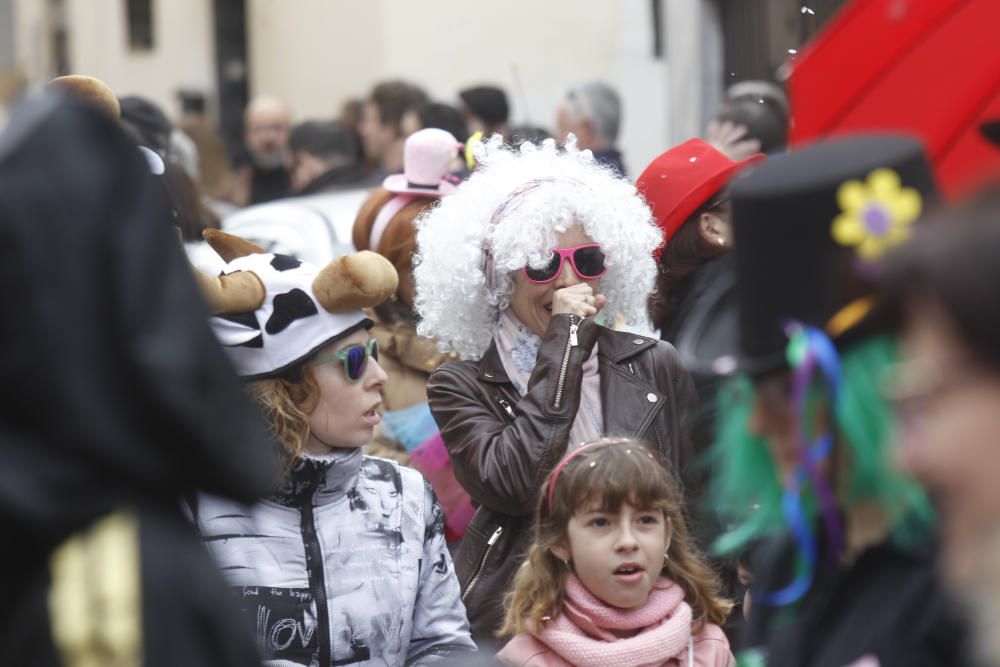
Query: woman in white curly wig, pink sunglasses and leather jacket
[515,271]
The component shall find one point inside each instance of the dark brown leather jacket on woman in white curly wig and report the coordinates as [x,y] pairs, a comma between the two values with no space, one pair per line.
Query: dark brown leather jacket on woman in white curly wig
[503,445]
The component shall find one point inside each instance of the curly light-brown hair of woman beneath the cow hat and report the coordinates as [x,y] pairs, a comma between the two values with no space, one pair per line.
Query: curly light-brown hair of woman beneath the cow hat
[286,402]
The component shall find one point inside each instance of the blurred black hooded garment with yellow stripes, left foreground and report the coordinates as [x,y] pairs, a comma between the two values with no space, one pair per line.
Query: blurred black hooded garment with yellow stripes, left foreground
[118,401]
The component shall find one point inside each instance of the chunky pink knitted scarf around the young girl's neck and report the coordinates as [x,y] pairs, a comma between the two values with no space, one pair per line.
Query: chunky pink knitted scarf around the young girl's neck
[582,635]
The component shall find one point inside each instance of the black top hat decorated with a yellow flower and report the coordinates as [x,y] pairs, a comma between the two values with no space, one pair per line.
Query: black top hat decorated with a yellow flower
[809,230]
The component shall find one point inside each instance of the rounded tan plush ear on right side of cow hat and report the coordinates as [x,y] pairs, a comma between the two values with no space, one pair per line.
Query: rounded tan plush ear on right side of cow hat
[359,280]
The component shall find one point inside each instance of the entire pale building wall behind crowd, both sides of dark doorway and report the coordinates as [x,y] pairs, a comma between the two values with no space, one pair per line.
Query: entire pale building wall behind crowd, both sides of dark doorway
[318,53]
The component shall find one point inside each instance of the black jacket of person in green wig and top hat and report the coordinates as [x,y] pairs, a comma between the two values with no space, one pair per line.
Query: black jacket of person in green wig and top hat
[887,603]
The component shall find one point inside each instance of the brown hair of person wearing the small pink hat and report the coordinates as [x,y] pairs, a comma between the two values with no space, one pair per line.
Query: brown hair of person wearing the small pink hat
[399,241]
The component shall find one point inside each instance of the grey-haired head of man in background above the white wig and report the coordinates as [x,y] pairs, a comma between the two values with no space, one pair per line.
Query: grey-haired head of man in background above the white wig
[592,113]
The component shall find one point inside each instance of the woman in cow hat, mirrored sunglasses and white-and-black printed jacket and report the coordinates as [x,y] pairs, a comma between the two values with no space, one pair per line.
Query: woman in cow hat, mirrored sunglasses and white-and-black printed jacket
[346,561]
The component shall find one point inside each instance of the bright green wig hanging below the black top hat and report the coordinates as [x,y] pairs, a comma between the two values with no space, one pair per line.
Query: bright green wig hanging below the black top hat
[745,487]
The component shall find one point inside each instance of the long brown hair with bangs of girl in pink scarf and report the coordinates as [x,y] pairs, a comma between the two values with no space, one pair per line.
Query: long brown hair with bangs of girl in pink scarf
[612,472]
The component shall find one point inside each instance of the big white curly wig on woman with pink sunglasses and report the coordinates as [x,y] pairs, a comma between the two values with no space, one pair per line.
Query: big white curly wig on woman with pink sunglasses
[506,216]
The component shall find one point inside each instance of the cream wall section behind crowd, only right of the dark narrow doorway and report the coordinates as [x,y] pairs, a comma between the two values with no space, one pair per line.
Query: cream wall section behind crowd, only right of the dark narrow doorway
[534,49]
